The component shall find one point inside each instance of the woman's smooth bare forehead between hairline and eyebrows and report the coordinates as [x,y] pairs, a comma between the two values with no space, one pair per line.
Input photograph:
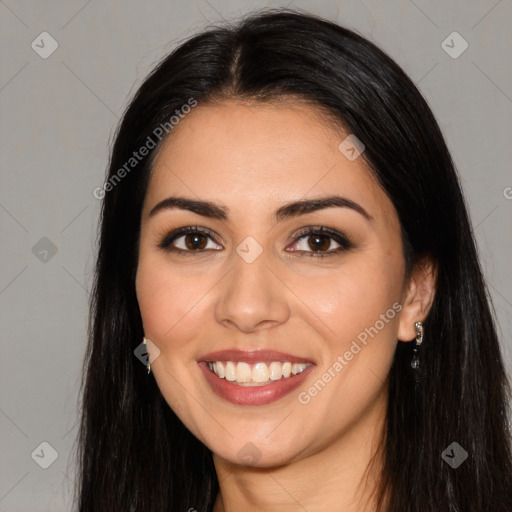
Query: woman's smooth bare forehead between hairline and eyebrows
[257,156]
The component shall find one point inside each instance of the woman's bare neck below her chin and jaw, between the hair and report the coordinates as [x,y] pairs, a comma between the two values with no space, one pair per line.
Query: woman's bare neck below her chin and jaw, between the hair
[343,476]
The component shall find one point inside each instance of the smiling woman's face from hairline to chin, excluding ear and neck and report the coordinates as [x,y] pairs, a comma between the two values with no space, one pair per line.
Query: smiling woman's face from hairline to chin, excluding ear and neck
[254,282]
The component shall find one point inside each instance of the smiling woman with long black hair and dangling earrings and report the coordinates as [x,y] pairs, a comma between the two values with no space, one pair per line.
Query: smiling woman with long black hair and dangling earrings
[284,233]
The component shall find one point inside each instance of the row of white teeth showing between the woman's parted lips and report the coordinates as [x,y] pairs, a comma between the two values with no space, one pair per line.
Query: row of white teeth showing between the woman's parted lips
[259,374]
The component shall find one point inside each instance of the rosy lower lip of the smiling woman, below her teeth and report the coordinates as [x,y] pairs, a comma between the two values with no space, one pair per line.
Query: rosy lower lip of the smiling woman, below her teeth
[253,395]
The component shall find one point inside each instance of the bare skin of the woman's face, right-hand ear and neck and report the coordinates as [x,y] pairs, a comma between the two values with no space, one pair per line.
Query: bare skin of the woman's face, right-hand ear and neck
[253,159]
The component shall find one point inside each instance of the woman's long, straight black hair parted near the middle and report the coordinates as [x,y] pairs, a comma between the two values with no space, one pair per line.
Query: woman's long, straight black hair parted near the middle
[133,451]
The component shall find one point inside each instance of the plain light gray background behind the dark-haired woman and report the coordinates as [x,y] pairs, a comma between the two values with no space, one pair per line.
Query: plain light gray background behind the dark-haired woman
[58,116]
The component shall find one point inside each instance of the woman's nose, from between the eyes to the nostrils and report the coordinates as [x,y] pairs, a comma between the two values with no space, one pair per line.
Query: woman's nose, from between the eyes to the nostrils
[252,297]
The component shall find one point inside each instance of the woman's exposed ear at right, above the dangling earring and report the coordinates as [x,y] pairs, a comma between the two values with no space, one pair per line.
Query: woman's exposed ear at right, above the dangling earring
[417,298]
